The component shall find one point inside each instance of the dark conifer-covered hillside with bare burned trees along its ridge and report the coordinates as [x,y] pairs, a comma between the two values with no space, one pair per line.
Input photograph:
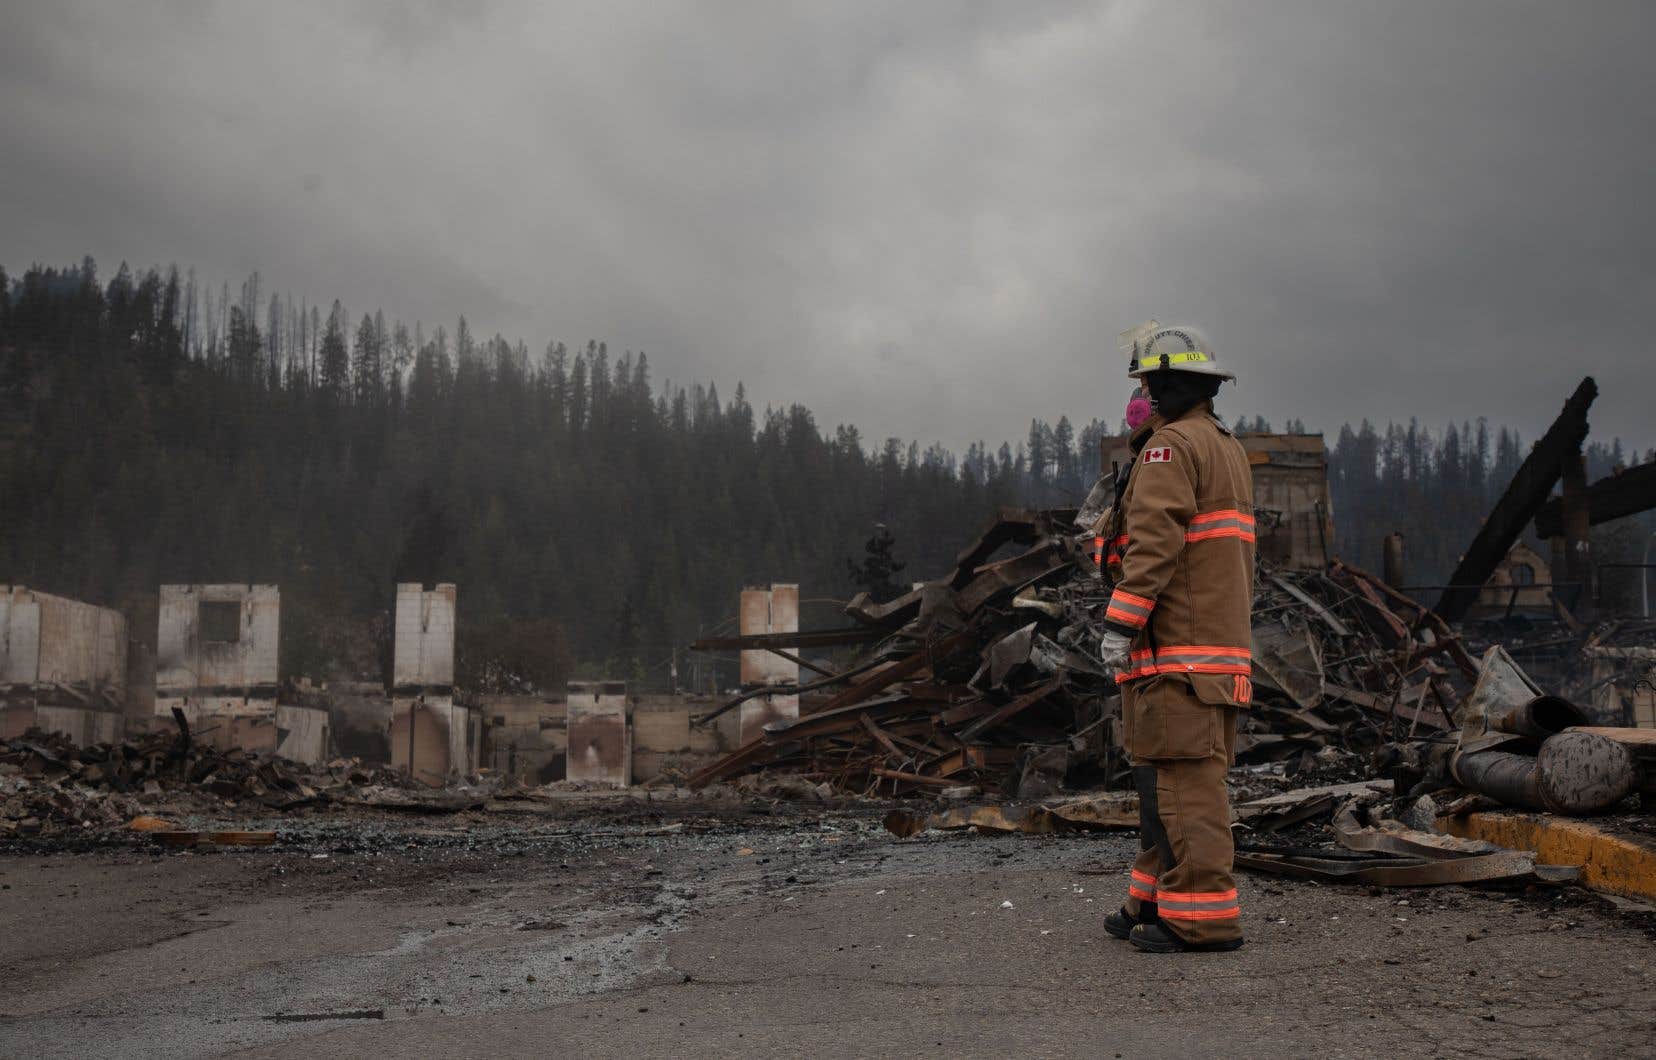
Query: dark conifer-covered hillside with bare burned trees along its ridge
[155,430]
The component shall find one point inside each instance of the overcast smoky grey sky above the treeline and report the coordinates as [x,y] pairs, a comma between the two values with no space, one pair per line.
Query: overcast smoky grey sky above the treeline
[923,218]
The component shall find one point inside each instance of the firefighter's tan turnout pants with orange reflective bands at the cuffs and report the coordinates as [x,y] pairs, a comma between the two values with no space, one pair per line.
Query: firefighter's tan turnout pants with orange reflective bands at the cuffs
[1180,749]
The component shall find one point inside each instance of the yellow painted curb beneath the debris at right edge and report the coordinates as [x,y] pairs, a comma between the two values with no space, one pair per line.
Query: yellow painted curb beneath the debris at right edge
[1614,864]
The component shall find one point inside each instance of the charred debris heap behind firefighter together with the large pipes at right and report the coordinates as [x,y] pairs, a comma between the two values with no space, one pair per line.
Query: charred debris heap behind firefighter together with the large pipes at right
[986,683]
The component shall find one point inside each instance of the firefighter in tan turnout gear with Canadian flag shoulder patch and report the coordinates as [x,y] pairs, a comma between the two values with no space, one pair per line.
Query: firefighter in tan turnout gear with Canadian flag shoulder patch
[1178,637]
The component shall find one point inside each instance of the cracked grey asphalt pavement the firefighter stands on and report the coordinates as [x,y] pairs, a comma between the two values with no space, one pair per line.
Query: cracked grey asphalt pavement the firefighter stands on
[681,935]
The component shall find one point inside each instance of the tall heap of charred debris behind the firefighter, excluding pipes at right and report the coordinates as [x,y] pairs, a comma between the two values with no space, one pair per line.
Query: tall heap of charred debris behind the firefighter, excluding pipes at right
[988,678]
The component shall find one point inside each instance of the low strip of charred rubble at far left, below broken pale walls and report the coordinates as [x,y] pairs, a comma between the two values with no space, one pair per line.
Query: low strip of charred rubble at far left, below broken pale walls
[49,786]
